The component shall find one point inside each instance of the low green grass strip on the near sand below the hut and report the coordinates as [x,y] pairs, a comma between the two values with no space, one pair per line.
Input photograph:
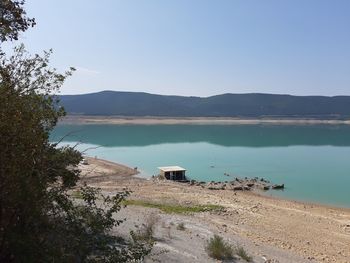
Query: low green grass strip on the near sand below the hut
[174,208]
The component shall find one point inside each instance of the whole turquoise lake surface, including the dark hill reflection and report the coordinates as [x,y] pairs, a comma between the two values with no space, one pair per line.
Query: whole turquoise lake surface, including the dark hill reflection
[312,161]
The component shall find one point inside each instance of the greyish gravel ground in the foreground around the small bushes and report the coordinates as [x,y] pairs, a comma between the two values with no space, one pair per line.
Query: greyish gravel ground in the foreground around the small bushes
[188,245]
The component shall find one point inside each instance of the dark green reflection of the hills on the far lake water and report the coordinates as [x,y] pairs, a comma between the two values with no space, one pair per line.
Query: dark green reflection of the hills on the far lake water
[224,135]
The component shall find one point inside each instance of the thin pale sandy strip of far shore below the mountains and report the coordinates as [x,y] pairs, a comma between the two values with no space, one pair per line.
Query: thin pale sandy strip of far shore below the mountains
[120,120]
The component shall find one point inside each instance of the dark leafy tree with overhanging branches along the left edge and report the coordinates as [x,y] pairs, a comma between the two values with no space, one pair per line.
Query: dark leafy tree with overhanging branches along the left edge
[39,219]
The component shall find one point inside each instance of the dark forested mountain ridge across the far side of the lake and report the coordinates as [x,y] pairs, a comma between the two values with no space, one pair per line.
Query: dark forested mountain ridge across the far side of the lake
[225,105]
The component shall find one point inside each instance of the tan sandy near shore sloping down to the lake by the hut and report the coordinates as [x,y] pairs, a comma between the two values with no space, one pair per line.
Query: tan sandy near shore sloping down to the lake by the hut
[282,230]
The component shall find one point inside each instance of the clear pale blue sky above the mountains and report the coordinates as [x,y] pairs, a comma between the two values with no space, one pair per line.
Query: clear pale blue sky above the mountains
[197,47]
